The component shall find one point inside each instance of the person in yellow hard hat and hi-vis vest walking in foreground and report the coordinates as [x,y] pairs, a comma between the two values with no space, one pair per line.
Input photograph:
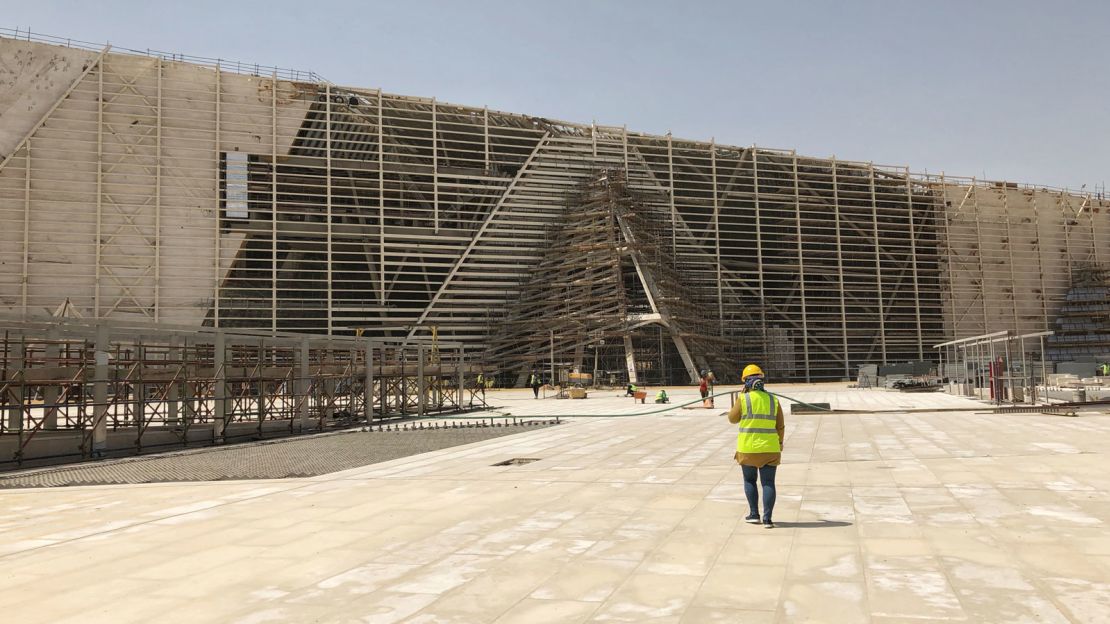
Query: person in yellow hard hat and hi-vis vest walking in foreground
[759,444]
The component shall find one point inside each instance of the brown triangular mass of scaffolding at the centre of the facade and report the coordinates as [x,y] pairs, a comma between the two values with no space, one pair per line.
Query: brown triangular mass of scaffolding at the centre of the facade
[608,297]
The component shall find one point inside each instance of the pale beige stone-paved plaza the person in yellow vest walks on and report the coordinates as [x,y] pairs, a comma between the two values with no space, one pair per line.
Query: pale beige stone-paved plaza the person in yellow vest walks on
[892,518]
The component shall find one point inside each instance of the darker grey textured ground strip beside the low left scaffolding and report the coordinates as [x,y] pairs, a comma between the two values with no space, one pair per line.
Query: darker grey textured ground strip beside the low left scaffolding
[310,456]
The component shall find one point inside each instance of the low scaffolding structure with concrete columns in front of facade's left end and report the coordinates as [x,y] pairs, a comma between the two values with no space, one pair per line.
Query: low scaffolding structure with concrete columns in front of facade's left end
[83,389]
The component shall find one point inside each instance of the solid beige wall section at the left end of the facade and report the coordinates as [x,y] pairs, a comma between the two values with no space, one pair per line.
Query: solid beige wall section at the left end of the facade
[139,173]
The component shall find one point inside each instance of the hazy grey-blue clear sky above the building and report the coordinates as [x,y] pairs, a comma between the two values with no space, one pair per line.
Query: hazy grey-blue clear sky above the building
[1007,90]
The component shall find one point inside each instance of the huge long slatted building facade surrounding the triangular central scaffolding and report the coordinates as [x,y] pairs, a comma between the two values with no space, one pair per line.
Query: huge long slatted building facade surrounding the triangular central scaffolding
[158,188]
